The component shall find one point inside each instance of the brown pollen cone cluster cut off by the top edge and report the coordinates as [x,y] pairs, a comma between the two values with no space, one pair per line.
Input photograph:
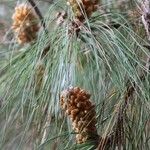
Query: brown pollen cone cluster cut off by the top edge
[80,7]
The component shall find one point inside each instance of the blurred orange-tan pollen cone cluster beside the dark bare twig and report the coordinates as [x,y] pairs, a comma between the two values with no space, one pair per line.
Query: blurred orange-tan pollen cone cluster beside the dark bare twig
[25,24]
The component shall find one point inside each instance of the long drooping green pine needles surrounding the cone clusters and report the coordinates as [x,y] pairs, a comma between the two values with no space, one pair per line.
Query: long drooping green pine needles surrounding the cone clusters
[101,59]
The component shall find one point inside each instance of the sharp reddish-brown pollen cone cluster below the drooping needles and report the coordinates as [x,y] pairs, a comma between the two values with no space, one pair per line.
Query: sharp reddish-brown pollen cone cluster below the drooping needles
[77,105]
